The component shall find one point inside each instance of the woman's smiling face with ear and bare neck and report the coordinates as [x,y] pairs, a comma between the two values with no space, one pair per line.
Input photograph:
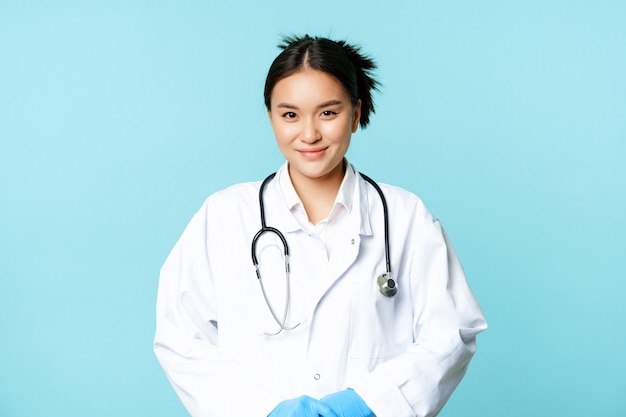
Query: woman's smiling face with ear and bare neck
[313,120]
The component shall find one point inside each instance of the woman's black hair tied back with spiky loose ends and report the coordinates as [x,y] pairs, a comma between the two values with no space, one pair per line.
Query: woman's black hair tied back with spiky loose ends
[343,61]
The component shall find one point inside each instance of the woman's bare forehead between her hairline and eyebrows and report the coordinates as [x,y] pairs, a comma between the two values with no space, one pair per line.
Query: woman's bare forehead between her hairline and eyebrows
[308,86]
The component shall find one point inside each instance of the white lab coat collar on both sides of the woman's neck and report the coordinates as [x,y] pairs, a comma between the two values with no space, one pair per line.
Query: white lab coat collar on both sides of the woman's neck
[352,194]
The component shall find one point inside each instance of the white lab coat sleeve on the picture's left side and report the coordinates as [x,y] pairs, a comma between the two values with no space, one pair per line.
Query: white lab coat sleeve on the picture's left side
[186,341]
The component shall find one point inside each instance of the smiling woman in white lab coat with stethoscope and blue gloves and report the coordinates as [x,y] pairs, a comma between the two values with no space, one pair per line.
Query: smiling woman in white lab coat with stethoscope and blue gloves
[322,334]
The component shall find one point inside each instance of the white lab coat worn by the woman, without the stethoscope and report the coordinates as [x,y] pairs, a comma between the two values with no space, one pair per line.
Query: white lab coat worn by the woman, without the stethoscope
[403,355]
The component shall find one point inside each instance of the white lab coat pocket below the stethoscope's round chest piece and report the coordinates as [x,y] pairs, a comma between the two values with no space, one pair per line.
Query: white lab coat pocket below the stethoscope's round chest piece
[373,328]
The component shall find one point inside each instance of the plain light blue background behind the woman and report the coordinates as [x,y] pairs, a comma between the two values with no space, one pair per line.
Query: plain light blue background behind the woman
[118,118]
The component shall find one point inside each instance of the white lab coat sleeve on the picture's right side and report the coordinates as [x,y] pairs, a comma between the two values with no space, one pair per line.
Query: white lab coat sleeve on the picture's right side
[446,320]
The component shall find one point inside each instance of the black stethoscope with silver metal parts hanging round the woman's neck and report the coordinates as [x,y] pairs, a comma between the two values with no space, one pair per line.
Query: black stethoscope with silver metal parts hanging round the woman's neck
[386,283]
